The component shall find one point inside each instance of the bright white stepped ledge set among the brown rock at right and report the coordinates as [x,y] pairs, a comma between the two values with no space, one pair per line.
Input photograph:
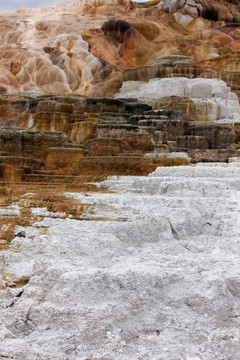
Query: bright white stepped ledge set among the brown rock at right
[210,98]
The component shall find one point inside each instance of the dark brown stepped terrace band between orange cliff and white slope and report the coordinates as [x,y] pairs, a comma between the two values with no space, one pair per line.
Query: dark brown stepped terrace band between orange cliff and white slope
[58,138]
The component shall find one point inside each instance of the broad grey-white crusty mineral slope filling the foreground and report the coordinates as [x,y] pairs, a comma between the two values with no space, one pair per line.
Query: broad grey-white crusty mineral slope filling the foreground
[150,271]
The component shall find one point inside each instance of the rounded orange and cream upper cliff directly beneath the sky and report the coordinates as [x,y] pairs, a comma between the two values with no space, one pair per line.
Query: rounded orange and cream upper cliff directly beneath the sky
[82,48]
